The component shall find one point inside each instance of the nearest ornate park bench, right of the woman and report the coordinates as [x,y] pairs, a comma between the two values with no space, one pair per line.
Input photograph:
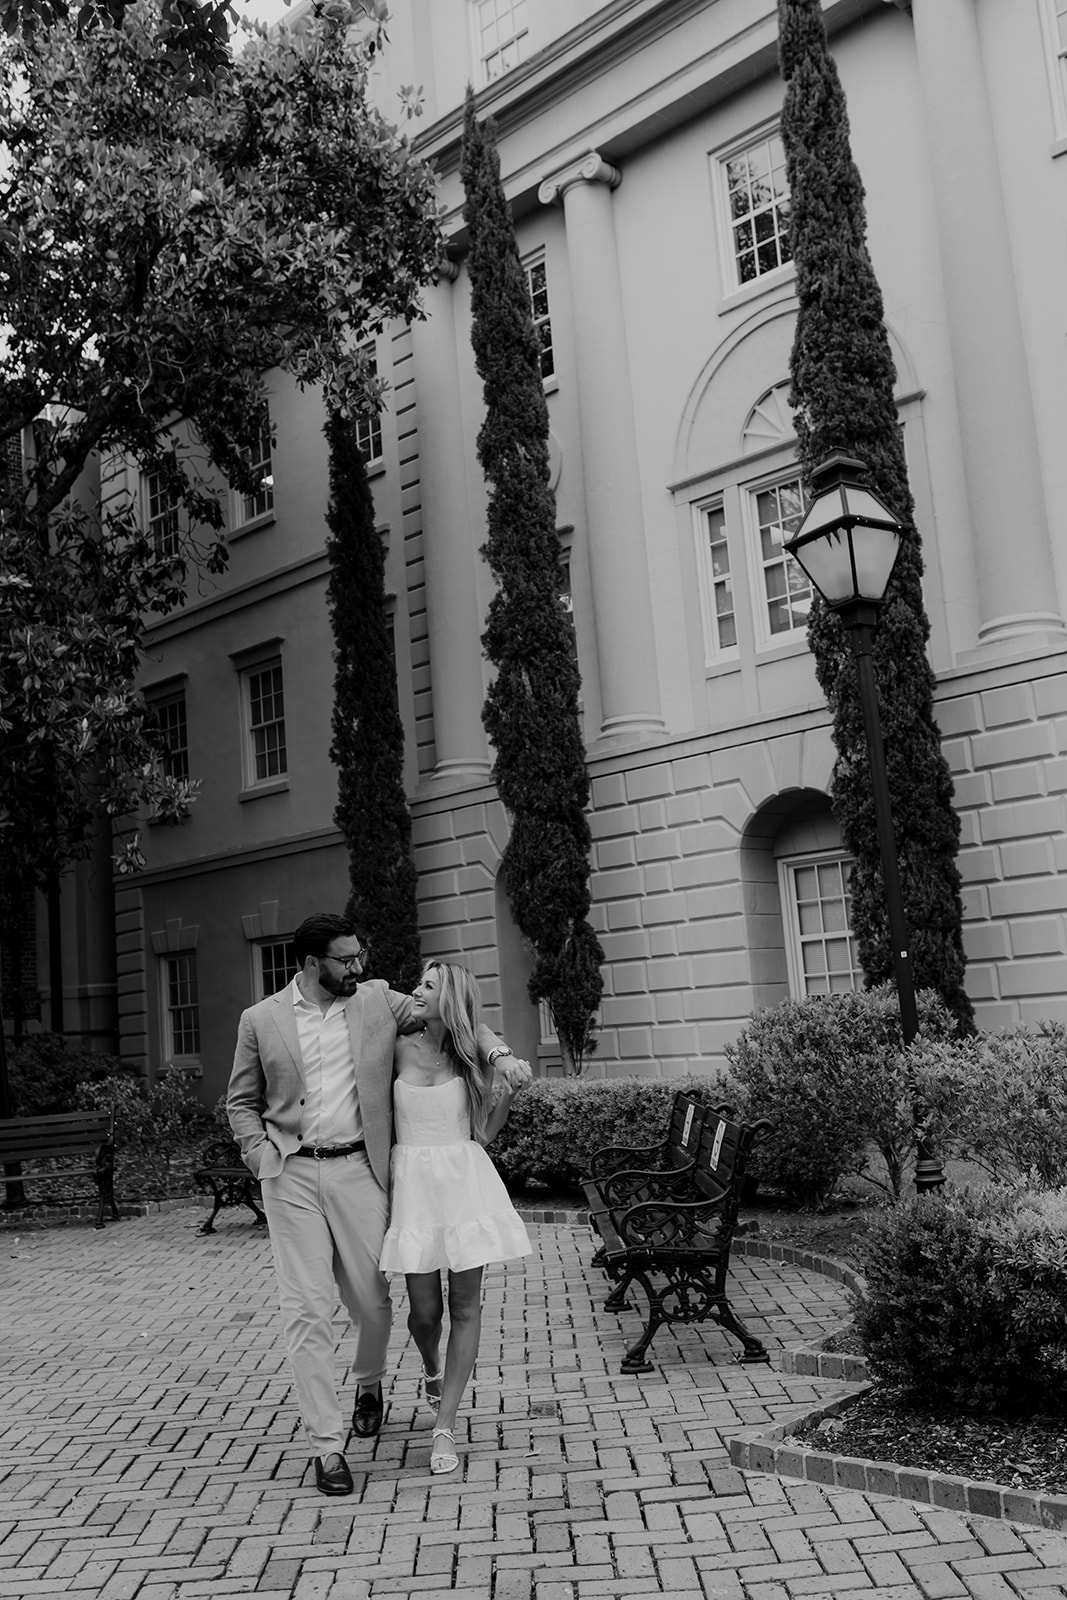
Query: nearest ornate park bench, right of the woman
[677,1249]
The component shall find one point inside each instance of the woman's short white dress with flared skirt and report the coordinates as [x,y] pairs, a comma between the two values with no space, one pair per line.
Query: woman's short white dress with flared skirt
[450,1207]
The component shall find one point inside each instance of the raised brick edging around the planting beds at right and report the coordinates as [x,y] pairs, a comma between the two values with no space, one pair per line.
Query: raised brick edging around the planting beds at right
[764,1450]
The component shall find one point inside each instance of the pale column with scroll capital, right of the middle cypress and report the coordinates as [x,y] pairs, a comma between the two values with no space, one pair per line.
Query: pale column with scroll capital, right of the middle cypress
[626,649]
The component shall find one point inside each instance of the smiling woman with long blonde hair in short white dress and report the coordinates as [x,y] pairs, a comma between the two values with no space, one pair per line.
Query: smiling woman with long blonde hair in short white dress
[450,1209]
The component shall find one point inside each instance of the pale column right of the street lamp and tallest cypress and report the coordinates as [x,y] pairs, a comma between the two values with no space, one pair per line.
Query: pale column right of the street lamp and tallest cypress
[1017,586]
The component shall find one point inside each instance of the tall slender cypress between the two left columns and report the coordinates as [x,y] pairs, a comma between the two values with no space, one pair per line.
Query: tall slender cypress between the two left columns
[532,711]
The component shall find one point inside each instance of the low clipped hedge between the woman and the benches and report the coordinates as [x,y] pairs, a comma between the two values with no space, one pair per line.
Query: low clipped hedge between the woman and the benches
[556,1124]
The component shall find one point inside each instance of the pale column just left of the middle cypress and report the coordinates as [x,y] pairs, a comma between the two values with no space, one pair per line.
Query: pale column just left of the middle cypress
[449,548]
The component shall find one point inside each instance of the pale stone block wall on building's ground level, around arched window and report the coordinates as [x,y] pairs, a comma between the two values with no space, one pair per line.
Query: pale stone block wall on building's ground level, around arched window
[685,898]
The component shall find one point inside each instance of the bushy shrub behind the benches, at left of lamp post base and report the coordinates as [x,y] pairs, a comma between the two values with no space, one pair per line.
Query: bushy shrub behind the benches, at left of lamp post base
[828,1073]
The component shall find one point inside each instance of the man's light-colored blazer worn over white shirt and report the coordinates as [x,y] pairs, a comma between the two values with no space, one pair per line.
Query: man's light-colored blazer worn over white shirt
[266,1097]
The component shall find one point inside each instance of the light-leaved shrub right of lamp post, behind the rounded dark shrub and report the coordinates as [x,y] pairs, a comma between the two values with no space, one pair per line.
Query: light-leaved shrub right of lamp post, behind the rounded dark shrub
[999,1100]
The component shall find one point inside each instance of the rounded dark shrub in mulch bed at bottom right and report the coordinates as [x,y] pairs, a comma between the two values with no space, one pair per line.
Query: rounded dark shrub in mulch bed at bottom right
[967,1297]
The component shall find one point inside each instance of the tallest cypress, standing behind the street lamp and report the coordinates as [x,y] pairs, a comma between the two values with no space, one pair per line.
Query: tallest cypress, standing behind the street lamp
[842,391]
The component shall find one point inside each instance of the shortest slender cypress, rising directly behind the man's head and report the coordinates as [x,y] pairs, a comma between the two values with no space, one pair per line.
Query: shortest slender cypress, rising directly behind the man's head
[367,732]
